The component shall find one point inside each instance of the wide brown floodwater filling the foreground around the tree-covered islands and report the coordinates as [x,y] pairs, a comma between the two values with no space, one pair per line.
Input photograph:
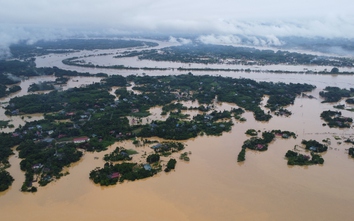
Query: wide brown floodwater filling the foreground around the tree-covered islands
[212,186]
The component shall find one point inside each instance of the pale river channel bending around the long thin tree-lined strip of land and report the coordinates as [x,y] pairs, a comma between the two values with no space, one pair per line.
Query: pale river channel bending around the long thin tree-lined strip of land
[107,58]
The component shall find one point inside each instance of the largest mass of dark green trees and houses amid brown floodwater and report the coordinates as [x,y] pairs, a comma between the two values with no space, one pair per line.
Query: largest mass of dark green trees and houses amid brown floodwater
[92,113]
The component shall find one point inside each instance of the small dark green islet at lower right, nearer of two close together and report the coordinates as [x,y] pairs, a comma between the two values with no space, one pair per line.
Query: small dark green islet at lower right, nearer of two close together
[295,158]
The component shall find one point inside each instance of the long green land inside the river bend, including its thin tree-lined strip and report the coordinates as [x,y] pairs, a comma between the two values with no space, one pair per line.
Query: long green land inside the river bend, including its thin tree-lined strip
[221,54]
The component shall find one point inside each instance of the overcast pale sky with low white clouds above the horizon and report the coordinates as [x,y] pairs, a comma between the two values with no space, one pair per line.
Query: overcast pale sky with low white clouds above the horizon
[50,19]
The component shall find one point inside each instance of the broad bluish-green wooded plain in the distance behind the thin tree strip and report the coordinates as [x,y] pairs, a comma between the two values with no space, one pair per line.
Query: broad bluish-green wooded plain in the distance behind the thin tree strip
[211,54]
